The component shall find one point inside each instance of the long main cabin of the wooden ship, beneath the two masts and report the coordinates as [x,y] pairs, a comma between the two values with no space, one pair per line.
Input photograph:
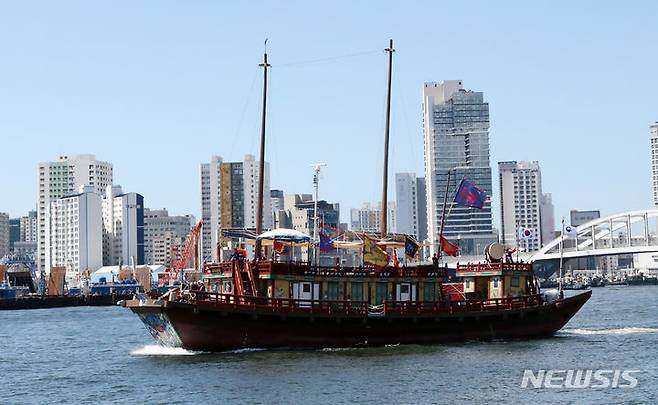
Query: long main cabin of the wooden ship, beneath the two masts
[302,284]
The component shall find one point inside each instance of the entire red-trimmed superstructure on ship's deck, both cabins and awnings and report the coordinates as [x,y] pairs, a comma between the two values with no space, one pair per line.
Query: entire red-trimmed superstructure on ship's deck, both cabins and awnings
[286,281]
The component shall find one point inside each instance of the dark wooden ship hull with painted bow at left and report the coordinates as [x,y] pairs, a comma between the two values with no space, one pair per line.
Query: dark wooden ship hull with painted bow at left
[211,329]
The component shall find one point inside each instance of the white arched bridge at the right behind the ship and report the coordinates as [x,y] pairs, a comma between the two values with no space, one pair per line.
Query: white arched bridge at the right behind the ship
[620,234]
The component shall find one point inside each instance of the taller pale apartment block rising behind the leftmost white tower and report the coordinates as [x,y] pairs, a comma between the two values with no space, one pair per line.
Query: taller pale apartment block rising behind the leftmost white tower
[60,178]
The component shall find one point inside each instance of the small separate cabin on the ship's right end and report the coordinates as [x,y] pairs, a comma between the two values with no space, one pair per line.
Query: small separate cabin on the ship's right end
[497,280]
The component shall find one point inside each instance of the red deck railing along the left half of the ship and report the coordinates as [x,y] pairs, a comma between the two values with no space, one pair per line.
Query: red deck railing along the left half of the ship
[285,305]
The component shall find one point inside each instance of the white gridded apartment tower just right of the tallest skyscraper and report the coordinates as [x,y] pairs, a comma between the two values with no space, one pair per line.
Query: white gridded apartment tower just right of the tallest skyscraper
[520,201]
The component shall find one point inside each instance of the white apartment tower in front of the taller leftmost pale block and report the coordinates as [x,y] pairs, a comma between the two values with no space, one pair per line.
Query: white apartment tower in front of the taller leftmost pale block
[76,233]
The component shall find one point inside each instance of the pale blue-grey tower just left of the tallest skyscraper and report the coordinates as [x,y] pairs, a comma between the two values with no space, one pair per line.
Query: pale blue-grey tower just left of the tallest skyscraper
[410,202]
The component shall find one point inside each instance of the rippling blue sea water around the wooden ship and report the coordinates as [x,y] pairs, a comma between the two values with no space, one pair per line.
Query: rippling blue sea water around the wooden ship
[105,355]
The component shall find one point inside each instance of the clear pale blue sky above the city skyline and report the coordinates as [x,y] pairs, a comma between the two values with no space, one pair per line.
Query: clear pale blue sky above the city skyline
[156,87]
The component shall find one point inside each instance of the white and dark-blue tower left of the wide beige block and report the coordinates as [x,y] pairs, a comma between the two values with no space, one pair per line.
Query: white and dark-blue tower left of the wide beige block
[123,227]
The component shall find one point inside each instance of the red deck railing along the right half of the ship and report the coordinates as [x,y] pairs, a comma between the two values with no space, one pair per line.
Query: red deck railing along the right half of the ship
[492,304]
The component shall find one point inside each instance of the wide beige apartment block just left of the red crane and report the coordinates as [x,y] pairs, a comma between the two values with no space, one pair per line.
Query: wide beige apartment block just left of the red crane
[164,234]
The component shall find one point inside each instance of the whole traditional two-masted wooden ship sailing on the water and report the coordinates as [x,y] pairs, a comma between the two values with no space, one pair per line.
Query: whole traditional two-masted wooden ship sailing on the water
[273,302]
